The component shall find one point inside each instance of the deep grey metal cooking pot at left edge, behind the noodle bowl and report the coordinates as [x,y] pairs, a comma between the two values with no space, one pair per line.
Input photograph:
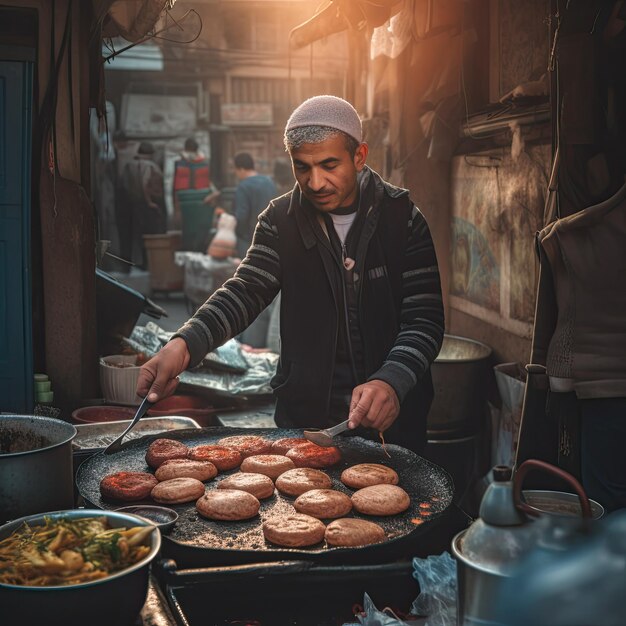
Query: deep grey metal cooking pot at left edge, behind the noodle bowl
[35,465]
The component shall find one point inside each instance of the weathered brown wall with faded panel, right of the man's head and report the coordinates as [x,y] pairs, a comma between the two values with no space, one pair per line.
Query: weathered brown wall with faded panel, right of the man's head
[430,71]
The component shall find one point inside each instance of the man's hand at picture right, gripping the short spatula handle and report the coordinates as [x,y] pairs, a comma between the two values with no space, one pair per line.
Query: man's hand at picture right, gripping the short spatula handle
[374,405]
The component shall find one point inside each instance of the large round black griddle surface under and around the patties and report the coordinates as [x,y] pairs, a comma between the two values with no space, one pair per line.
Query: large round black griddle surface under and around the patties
[196,541]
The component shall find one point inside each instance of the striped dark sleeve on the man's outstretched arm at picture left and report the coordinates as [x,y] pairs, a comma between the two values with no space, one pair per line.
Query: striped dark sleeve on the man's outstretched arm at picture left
[233,307]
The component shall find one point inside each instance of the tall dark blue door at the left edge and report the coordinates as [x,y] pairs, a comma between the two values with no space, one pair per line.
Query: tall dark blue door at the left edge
[16,360]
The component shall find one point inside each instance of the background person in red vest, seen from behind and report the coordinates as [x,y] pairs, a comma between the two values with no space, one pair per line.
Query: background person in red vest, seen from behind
[194,197]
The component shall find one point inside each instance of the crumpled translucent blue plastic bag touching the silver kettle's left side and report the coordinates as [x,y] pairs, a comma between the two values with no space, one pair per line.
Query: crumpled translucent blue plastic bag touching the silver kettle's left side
[437,599]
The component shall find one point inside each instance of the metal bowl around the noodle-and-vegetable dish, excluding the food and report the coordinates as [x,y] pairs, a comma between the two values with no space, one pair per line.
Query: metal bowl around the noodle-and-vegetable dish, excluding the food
[116,599]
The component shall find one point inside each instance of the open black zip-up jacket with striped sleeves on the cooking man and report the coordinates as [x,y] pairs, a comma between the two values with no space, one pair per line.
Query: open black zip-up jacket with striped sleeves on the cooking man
[399,305]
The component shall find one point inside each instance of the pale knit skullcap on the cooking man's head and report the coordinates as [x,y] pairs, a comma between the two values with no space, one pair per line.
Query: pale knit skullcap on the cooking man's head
[328,111]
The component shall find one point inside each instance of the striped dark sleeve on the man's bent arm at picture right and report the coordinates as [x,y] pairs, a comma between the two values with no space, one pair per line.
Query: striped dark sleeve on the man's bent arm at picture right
[421,317]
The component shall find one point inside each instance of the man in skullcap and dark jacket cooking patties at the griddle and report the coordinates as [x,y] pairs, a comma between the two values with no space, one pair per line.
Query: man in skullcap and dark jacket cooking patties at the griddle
[361,315]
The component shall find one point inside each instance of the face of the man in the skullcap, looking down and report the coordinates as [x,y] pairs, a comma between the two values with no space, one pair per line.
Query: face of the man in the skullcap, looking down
[326,173]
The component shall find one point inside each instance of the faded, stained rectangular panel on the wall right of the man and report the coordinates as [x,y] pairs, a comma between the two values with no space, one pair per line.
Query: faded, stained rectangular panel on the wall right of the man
[497,207]
